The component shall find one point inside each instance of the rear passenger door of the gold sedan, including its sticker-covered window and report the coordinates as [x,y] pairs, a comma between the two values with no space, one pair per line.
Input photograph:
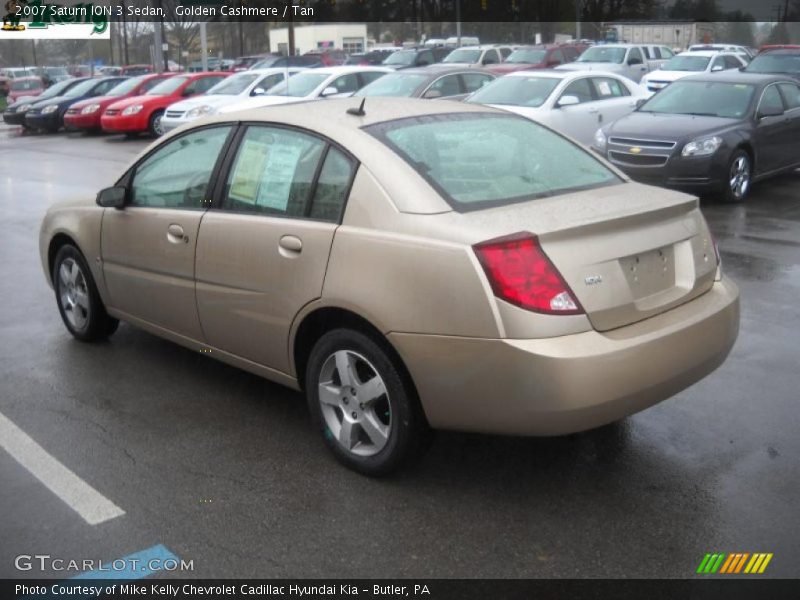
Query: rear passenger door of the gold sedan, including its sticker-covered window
[263,249]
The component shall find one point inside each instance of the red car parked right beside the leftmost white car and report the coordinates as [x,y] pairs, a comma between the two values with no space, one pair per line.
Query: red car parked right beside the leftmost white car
[143,113]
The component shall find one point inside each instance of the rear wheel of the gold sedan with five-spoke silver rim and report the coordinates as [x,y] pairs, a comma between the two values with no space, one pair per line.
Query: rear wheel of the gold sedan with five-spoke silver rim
[376,433]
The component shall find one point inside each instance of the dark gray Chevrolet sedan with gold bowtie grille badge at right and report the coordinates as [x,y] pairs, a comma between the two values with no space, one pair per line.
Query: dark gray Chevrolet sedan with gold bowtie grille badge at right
[710,134]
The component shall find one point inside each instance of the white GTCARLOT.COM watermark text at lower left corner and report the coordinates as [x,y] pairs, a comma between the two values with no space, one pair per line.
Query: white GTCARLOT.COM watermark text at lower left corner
[46,562]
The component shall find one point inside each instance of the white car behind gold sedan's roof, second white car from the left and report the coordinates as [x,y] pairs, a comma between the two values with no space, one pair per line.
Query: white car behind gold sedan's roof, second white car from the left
[326,82]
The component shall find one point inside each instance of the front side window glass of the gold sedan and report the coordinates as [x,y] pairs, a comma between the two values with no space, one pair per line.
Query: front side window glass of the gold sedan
[177,174]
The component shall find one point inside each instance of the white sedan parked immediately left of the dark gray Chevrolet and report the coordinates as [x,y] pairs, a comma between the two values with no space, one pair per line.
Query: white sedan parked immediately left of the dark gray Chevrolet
[573,103]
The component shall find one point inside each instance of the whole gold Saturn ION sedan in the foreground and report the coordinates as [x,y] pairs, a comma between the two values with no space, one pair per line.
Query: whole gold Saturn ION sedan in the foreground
[407,264]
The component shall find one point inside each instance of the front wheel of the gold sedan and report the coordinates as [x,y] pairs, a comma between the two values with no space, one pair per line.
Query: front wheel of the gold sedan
[77,298]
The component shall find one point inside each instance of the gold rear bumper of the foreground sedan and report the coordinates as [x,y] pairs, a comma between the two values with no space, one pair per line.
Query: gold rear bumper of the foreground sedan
[572,383]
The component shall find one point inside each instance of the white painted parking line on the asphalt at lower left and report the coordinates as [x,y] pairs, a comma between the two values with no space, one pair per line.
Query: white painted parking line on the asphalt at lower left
[78,495]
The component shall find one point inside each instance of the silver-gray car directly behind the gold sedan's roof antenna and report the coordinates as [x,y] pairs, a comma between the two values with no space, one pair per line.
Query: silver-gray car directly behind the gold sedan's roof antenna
[453,83]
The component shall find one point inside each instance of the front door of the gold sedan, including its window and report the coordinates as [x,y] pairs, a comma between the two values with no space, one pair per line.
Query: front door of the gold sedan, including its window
[148,248]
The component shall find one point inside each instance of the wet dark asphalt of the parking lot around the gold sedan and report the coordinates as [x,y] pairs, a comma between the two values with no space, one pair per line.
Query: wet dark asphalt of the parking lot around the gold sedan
[222,467]
